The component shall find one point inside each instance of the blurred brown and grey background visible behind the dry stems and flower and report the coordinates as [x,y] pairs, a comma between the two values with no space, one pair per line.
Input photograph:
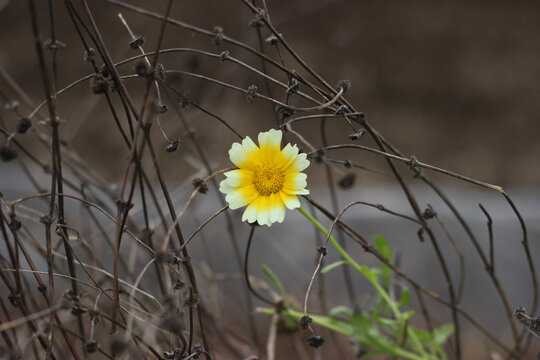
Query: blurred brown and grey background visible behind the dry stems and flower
[455,84]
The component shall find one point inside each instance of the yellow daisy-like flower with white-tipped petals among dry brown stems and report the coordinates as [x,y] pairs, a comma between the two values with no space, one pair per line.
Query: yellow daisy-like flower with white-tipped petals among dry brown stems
[268,178]
